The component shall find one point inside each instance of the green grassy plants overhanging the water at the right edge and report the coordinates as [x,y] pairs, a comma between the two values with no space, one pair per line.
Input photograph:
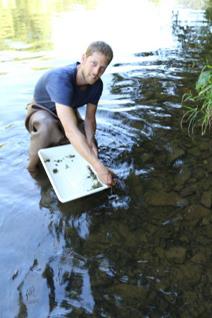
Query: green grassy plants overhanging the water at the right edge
[198,105]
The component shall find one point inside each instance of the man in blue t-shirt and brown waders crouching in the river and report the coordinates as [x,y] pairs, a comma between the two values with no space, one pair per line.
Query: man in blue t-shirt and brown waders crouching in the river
[53,119]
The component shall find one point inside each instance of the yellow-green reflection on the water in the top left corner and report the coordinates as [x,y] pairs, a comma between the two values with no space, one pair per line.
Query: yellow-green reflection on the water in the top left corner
[25,26]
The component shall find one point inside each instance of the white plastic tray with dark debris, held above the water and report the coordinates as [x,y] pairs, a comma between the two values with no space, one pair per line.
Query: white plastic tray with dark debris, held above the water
[70,175]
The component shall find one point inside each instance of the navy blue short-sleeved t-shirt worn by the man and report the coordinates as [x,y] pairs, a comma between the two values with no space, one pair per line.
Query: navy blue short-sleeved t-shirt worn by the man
[59,86]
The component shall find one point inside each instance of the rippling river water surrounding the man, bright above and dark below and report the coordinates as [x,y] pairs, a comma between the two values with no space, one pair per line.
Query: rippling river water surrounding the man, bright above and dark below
[142,249]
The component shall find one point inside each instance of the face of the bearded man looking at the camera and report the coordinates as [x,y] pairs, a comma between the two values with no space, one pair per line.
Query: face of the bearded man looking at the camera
[93,67]
